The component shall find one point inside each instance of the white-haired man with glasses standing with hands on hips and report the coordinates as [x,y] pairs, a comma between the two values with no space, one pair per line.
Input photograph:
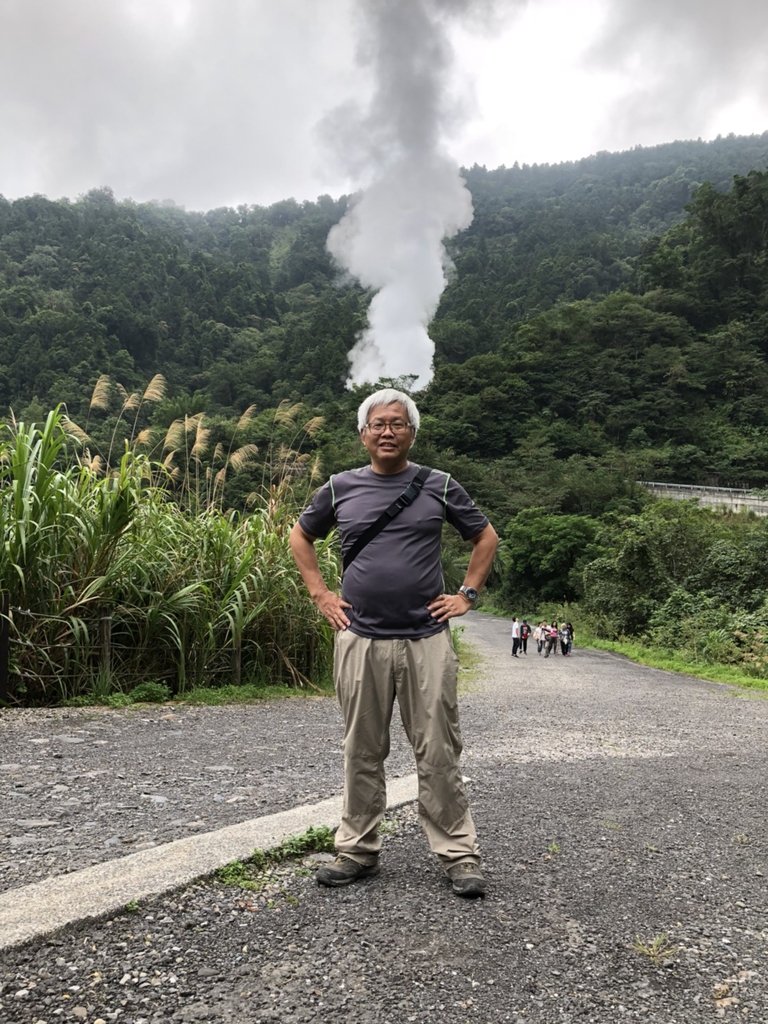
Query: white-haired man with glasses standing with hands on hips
[393,639]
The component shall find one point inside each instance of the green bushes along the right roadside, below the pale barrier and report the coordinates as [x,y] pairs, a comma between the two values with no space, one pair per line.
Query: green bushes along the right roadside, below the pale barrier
[672,585]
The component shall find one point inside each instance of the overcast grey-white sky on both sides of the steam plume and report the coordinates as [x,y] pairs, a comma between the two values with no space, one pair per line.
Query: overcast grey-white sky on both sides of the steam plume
[217,103]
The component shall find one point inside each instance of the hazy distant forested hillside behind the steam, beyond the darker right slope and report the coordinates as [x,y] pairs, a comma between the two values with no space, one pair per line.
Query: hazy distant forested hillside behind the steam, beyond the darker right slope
[242,307]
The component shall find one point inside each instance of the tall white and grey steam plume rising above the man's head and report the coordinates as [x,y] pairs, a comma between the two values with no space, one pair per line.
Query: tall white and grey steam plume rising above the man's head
[392,239]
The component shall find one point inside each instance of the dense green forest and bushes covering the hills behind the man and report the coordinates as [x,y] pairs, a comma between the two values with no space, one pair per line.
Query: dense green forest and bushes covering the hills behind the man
[607,323]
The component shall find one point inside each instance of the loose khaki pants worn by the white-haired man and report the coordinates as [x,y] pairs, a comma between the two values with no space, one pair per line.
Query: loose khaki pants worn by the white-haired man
[422,674]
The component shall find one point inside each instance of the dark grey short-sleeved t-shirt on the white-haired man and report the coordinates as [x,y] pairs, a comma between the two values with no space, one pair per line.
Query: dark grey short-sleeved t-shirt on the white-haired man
[397,574]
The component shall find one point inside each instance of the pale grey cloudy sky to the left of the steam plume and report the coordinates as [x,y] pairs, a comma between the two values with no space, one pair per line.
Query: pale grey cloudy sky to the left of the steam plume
[206,102]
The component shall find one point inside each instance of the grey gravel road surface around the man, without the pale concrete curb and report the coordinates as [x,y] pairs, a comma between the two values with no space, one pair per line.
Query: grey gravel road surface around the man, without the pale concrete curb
[622,814]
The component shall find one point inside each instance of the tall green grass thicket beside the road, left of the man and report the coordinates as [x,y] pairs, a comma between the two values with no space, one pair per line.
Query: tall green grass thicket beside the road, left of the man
[112,584]
